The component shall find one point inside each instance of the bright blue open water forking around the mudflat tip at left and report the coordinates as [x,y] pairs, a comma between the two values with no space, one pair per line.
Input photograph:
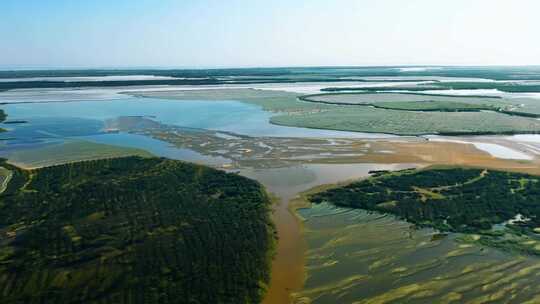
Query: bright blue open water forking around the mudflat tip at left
[55,121]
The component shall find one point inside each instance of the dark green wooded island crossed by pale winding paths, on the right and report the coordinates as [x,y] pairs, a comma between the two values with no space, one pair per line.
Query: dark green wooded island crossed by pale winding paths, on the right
[496,208]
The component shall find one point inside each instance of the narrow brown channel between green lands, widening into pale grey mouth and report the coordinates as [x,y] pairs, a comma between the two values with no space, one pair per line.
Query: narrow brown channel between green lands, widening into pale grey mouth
[286,184]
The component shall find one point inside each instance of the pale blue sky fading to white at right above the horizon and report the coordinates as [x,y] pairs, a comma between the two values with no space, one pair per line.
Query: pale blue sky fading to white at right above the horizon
[253,33]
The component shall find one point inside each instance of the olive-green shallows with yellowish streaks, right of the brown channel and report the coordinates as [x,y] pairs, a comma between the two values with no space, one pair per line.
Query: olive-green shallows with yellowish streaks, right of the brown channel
[362,257]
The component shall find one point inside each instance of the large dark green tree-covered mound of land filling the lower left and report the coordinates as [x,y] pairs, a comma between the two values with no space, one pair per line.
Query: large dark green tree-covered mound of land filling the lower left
[133,230]
